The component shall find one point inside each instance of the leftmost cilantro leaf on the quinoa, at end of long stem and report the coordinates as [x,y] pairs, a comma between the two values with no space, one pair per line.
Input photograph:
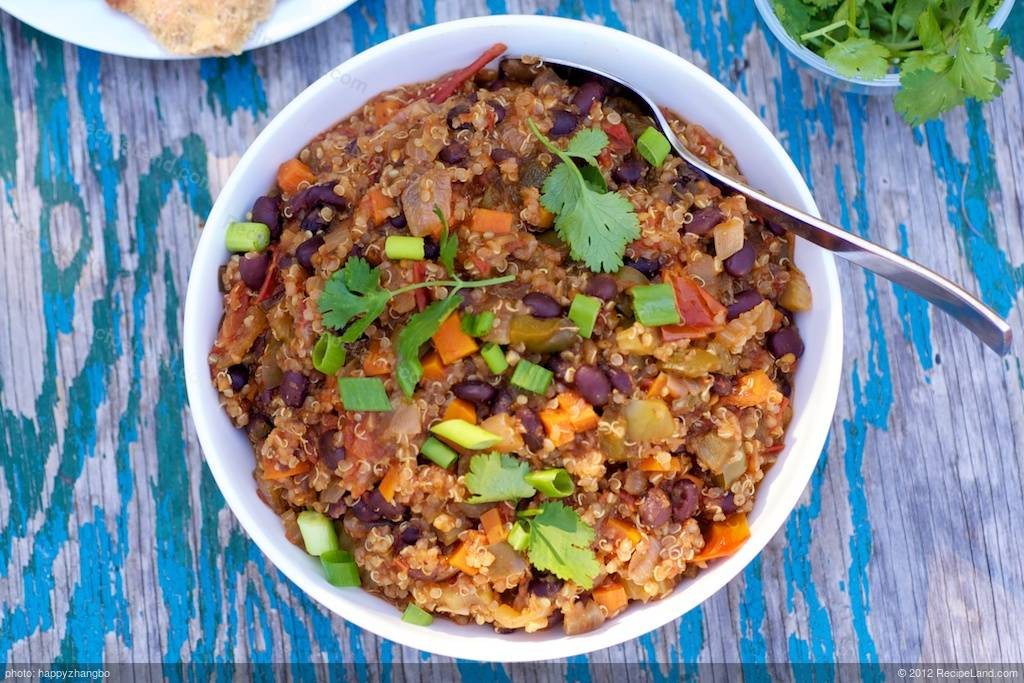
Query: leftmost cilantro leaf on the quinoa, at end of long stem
[353,291]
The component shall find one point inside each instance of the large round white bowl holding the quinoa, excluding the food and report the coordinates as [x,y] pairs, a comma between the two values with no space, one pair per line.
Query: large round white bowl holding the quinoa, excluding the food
[425,55]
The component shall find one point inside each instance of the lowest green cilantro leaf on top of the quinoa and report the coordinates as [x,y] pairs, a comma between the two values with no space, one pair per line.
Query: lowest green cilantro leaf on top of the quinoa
[560,543]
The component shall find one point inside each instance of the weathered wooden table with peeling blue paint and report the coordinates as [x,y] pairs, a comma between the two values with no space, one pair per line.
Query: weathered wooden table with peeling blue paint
[116,545]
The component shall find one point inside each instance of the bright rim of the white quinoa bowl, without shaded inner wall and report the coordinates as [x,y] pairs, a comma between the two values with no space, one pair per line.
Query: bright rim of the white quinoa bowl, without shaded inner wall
[826,382]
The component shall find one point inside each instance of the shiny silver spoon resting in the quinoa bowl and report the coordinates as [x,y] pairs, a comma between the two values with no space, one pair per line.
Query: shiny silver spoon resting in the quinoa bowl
[949,296]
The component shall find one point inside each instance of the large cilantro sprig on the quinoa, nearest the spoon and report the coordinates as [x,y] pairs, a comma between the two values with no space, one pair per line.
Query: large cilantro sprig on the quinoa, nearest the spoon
[594,224]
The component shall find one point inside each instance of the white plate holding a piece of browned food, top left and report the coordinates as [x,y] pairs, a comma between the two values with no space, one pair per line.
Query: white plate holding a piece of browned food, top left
[95,25]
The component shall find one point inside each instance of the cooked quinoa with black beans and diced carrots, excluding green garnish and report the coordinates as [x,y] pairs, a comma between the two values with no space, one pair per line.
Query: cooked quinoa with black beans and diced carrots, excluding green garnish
[665,431]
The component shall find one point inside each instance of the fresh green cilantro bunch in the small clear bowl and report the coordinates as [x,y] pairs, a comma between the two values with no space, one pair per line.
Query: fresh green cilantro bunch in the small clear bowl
[945,50]
